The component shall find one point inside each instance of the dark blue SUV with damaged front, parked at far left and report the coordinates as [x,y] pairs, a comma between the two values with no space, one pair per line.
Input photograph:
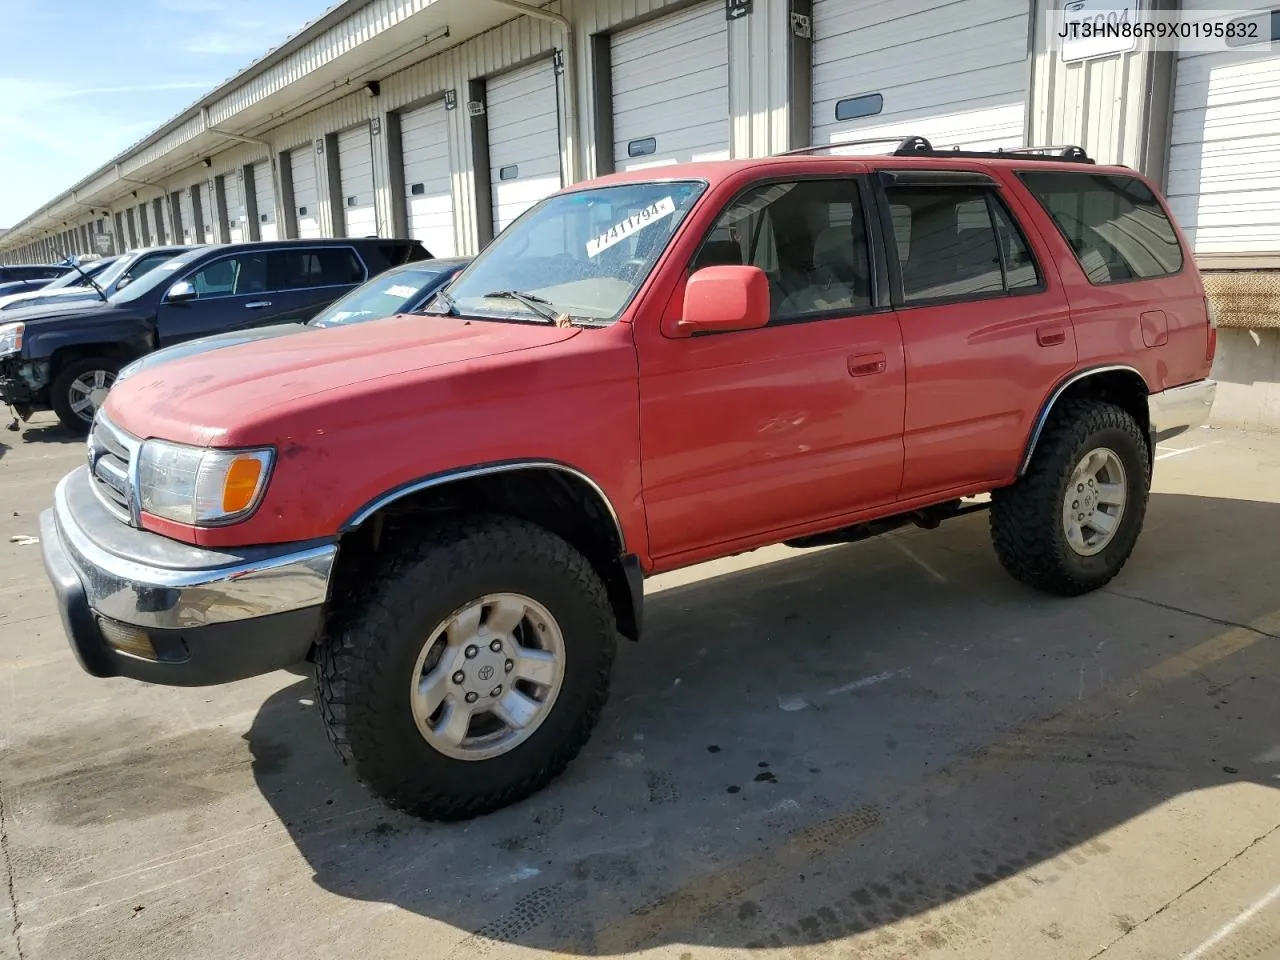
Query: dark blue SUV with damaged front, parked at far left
[67,358]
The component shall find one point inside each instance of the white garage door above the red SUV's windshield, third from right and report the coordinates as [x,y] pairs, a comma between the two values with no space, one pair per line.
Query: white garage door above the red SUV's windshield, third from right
[676,61]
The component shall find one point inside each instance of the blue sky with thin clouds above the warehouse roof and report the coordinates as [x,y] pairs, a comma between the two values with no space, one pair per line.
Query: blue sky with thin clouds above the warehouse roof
[83,80]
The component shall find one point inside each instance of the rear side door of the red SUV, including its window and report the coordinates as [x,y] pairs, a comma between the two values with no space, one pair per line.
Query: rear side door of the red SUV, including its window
[985,323]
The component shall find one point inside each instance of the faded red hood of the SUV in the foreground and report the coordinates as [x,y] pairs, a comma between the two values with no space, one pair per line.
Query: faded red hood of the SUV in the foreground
[204,399]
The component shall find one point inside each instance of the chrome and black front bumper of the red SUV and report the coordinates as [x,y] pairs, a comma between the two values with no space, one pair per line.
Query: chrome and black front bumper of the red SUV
[139,605]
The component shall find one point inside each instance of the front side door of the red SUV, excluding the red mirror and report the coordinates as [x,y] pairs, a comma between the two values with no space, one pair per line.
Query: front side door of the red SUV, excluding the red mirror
[752,433]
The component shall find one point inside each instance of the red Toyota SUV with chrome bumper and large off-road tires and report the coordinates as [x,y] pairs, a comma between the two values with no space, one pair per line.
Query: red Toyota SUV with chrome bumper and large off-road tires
[452,515]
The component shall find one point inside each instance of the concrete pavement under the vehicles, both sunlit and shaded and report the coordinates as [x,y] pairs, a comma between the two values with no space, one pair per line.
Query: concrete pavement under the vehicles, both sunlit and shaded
[877,751]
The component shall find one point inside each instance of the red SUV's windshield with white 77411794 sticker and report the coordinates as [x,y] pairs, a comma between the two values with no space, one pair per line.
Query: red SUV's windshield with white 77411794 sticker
[586,254]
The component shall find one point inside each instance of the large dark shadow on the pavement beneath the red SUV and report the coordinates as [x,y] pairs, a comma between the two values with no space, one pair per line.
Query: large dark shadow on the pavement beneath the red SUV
[835,744]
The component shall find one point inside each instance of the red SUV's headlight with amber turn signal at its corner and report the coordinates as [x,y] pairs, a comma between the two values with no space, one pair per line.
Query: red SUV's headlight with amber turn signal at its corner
[202,487]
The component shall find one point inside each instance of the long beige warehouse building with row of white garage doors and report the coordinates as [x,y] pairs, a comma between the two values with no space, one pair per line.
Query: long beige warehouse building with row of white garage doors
[446,120]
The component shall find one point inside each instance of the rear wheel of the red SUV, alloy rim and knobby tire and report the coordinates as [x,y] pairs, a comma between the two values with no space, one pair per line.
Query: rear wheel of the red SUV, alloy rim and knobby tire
[1071,523]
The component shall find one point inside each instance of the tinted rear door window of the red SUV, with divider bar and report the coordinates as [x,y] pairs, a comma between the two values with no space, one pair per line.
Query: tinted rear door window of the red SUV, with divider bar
[957,243]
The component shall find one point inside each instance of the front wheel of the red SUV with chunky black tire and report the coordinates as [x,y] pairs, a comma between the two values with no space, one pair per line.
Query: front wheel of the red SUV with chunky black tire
[472,670]
